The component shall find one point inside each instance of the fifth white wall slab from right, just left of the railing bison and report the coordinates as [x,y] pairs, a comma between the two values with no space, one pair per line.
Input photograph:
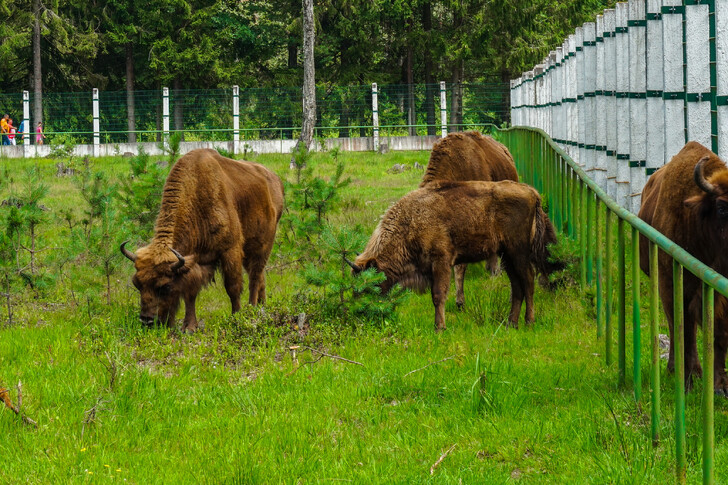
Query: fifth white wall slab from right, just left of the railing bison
[637,102]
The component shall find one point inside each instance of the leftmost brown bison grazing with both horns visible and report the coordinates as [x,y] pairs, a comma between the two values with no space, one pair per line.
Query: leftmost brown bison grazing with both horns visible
[215,213]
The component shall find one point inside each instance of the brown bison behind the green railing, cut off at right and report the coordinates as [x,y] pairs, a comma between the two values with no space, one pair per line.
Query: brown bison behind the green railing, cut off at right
[687,201]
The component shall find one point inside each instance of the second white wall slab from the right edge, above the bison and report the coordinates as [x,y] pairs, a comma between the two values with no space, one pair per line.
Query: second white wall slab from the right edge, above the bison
[697,50]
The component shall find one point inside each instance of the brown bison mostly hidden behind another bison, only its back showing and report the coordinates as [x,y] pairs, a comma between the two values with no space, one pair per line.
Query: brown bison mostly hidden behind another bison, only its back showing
[469,156]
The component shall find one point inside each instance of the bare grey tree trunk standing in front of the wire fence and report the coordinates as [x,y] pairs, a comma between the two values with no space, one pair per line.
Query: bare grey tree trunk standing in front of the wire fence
[309,78]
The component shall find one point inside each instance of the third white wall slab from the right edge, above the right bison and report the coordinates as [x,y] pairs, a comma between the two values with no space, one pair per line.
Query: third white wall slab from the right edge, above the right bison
[674,94]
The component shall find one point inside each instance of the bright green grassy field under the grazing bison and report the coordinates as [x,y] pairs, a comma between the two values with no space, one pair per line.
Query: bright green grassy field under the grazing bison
[117,402]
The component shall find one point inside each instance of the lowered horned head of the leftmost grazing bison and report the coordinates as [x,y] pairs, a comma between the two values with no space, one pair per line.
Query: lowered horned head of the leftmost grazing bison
[160,279]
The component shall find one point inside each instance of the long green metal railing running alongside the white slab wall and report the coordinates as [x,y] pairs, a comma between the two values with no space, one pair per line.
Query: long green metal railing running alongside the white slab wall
[577,205]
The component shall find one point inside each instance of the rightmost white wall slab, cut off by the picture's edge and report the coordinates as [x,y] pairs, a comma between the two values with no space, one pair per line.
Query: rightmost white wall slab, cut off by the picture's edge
[720,23]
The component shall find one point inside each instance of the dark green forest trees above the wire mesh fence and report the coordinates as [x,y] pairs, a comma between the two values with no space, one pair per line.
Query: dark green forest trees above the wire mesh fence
[116,45]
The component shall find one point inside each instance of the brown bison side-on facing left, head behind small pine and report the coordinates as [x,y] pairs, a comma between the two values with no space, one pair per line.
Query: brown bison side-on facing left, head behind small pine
[431,229]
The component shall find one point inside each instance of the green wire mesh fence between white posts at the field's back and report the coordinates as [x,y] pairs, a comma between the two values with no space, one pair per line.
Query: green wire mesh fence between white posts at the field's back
[264,113]
